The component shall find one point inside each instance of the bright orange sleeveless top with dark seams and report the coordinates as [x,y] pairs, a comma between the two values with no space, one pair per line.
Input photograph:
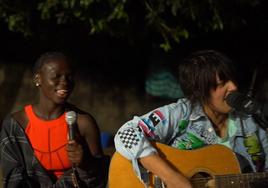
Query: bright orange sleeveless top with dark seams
[48,139]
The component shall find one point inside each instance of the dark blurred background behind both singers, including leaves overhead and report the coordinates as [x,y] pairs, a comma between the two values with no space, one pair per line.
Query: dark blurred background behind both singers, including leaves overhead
[126,51]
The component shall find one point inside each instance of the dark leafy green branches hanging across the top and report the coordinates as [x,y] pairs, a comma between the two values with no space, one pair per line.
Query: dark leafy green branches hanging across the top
[170,20]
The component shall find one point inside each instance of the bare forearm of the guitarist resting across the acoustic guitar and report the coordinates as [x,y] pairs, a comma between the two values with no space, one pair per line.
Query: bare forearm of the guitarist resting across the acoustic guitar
[171,177]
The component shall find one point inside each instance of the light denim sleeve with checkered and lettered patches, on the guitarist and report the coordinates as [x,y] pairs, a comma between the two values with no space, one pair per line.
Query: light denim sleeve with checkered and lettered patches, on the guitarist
[161,125]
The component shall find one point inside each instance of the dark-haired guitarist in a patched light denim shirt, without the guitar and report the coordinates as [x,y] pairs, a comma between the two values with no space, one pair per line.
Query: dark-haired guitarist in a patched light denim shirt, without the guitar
[202,118]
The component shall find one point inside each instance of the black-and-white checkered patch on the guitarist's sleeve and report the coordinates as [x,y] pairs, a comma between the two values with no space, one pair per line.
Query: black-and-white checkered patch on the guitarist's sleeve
[129,138]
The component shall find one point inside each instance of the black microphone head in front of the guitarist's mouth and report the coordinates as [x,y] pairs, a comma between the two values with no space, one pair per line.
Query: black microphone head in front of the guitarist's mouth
[242,103]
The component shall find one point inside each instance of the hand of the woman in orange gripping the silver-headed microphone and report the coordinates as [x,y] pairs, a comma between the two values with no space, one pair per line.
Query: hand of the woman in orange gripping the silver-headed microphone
[75,152]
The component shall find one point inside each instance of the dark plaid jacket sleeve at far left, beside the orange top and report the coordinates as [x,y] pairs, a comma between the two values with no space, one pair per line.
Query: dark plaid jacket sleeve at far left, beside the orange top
[14,169]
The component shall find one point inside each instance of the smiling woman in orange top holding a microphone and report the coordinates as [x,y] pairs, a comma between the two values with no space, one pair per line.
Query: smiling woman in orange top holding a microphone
[35,148]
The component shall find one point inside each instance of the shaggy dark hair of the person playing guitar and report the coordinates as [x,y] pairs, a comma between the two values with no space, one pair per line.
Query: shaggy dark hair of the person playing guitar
[197,74]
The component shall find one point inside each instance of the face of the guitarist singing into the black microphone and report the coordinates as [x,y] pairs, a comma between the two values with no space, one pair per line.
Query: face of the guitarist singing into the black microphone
[217,102]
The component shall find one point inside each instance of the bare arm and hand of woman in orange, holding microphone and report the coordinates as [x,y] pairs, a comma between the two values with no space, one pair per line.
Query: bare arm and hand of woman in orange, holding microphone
[86,151]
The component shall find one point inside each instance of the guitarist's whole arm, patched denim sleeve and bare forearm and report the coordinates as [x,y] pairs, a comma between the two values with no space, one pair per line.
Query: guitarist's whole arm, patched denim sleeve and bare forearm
[133,141]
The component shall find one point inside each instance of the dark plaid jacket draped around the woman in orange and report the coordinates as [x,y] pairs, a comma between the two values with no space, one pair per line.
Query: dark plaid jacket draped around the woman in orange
[20,168]
